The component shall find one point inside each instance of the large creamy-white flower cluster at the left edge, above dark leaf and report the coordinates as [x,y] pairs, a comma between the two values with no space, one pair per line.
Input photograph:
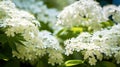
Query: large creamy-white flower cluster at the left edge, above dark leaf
[21,22]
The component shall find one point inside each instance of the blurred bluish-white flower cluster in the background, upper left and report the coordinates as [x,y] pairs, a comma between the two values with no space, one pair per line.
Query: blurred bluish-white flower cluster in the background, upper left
[42,13]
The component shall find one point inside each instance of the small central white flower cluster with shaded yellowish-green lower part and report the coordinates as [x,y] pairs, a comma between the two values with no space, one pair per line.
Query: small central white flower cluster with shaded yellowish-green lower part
[52,47]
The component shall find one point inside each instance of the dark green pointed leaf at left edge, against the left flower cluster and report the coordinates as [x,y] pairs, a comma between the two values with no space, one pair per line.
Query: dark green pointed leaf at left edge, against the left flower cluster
[11,41]
